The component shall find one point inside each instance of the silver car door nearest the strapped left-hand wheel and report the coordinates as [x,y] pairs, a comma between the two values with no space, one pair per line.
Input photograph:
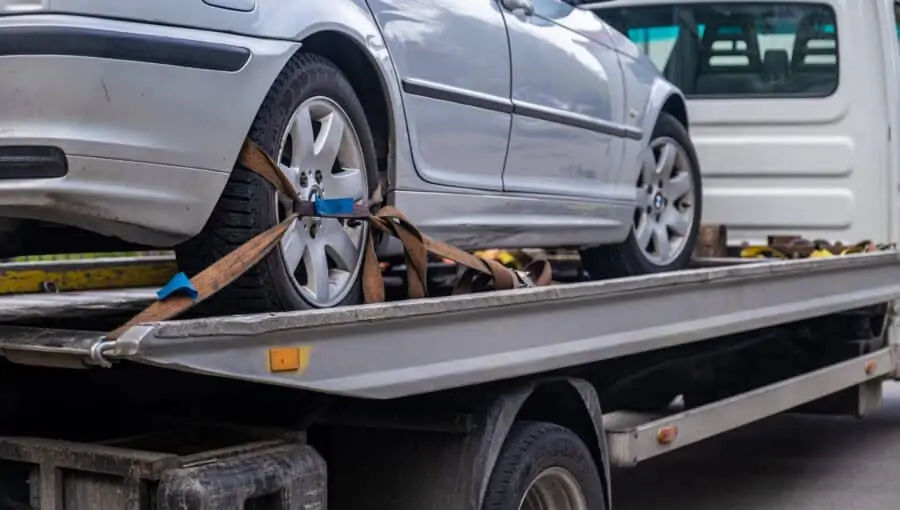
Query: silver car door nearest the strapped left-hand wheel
[453,60]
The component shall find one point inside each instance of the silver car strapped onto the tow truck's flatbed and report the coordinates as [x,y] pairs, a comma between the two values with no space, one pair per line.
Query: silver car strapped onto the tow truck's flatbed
[511,123]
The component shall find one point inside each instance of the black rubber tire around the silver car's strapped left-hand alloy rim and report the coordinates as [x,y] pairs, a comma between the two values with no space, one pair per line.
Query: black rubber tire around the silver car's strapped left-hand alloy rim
[249,205]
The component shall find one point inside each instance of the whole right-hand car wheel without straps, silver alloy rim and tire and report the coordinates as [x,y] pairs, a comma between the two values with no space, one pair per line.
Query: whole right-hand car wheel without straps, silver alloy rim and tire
[667,212]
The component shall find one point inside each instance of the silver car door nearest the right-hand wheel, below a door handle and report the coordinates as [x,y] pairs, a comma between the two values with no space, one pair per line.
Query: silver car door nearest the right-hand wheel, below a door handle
[568,129]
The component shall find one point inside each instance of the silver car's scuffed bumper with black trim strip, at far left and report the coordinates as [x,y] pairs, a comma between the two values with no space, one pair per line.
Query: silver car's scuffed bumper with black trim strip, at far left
[150,119]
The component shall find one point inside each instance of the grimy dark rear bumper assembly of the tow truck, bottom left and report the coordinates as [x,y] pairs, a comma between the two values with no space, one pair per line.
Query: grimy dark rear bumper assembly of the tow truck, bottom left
[42,474]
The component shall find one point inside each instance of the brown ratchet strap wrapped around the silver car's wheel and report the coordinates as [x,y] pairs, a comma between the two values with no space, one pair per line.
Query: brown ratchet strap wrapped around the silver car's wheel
[388,220]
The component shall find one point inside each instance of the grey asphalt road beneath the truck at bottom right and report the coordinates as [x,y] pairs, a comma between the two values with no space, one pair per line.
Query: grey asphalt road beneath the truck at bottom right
[786,462]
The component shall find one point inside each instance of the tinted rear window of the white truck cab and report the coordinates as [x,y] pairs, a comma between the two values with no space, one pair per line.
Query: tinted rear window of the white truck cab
[717,50]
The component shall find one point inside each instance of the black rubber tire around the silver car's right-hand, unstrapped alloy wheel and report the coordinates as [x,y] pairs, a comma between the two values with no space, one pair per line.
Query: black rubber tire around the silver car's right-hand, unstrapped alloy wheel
[630,258]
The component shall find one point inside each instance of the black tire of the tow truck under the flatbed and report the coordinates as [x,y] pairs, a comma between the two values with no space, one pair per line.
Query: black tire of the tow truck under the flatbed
[535,448]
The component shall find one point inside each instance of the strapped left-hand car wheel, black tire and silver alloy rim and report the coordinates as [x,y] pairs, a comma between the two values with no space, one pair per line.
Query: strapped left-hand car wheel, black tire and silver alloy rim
[315,127]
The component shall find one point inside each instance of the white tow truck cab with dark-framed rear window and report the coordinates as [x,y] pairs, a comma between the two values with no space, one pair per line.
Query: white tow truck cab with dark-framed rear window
[793,108]
